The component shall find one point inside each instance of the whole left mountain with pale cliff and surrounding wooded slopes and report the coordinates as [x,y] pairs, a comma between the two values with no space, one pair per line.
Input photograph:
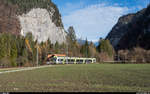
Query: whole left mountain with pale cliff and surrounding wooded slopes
[40,17]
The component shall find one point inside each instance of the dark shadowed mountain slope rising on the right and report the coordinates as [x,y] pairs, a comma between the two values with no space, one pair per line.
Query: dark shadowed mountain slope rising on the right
[132,30]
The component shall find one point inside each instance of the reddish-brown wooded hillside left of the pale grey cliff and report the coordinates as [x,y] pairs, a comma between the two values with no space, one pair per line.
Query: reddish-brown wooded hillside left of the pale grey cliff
[8,18]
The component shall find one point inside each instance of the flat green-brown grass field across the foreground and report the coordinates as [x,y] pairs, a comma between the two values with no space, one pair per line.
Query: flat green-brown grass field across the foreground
[79,78]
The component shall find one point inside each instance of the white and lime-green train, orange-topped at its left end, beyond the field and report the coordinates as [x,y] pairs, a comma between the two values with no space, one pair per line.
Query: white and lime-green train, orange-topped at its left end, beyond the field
[63,59]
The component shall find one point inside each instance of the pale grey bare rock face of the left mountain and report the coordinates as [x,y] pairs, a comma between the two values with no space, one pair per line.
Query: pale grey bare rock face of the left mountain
[39,22]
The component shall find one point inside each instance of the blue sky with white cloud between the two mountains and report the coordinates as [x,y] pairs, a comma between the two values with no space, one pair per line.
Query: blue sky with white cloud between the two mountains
[93,19]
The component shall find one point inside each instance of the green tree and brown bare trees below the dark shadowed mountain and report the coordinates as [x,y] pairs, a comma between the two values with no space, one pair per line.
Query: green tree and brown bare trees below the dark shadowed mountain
[133,55]
